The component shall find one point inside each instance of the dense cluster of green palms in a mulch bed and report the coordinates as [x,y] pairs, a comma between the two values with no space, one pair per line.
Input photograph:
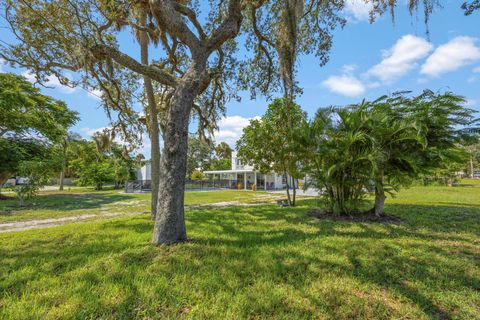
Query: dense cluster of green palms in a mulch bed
[379,146]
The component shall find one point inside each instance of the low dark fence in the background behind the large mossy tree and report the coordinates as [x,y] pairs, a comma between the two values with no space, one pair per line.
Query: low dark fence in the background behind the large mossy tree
[190,185]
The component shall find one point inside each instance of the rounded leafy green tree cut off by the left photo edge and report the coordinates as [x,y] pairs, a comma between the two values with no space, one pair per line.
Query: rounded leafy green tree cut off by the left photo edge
[30,123]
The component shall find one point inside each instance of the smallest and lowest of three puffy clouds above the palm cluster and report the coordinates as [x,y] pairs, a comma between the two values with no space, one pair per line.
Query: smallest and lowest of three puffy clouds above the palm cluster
[346,84]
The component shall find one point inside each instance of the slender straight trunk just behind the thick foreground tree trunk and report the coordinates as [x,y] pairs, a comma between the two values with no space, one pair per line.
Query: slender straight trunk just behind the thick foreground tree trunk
[153,118]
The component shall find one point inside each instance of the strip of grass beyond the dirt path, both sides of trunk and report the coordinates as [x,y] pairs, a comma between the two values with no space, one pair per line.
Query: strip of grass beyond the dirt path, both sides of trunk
[56,204]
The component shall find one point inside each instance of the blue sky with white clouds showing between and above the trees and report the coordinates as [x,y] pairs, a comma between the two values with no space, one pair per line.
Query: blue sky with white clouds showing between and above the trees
[366,61]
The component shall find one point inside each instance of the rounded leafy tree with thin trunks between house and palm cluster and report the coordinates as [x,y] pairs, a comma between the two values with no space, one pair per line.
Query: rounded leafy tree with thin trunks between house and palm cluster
[270,144]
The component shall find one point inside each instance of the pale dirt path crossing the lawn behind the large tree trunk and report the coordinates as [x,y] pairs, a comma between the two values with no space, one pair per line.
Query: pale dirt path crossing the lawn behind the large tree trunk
[53,222]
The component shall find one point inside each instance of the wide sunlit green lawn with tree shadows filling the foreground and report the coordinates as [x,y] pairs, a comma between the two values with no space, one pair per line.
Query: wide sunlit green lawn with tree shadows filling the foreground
[258,262]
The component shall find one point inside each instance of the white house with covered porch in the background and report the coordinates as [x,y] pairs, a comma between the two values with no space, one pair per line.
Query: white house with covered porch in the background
[246,176]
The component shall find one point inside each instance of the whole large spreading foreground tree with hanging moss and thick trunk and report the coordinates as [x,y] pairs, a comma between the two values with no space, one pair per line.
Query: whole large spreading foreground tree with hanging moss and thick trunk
[195,62]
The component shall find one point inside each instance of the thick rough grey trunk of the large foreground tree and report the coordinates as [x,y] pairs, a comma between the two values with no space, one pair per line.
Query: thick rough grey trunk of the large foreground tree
[170,220]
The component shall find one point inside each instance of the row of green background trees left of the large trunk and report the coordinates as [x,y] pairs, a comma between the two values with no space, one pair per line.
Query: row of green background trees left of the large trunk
[35,143]
